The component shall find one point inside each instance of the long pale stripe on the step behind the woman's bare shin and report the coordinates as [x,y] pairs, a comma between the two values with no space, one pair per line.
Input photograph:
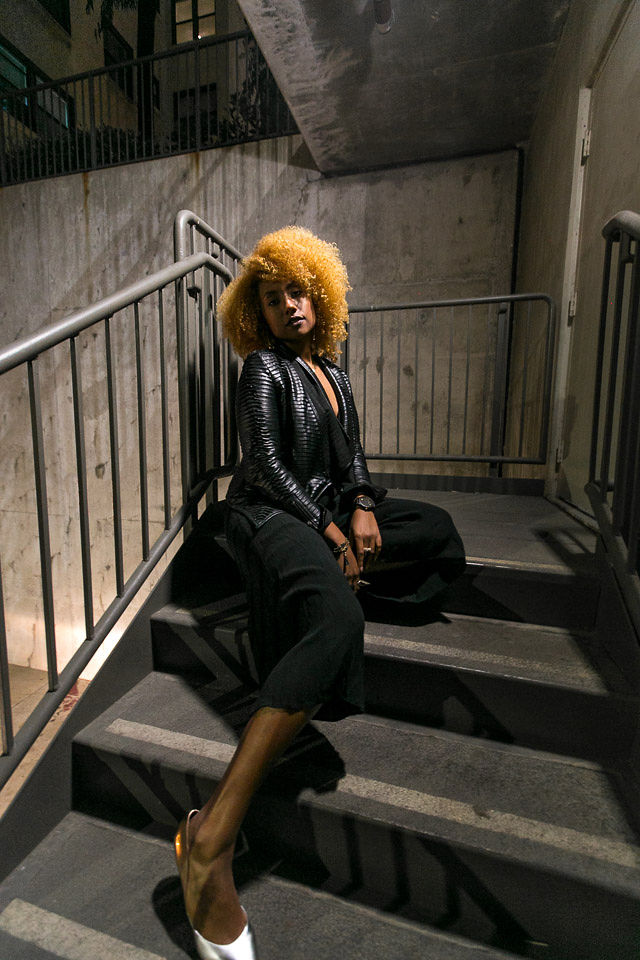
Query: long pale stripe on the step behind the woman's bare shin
[444,808]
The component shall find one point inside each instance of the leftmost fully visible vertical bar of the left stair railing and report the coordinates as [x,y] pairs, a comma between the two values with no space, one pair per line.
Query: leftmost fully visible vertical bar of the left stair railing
[43,521]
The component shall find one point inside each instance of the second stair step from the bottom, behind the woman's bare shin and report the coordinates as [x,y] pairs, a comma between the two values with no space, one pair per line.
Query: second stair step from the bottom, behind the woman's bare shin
[511,845]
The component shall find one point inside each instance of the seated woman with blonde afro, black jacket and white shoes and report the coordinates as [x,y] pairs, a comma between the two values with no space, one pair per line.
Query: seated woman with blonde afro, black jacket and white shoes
[307,527]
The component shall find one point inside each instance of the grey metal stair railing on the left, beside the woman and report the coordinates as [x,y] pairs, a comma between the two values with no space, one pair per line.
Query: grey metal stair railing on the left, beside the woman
[146,377]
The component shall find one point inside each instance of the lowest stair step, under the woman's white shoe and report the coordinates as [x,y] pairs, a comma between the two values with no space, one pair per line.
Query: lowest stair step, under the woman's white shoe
[93,890]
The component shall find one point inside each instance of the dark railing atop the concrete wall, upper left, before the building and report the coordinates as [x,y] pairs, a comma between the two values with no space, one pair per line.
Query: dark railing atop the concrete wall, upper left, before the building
[210,93]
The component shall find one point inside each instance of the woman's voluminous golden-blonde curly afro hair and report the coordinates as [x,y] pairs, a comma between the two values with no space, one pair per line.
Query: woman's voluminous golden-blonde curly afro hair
[291,254]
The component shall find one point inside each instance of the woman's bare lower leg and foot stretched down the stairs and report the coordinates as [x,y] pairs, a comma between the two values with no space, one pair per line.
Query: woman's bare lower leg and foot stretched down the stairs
[211,900]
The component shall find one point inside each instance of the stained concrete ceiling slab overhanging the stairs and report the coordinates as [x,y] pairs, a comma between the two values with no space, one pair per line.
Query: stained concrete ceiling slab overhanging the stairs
[451,77]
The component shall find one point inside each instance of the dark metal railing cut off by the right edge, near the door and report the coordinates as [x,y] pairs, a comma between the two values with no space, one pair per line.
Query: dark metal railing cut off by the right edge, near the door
[614,468]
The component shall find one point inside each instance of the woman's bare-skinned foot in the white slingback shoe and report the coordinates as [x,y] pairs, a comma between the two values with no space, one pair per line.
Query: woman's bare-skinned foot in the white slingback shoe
[211,901]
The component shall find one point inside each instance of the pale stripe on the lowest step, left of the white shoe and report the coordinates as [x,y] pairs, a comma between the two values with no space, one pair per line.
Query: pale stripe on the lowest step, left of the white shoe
[65,938]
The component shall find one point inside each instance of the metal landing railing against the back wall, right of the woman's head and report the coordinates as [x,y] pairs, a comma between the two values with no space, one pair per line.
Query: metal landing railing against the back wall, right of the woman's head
[454,380]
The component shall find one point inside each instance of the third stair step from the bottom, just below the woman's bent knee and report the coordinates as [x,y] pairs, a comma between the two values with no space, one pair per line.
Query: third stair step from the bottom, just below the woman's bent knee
[544,687]
